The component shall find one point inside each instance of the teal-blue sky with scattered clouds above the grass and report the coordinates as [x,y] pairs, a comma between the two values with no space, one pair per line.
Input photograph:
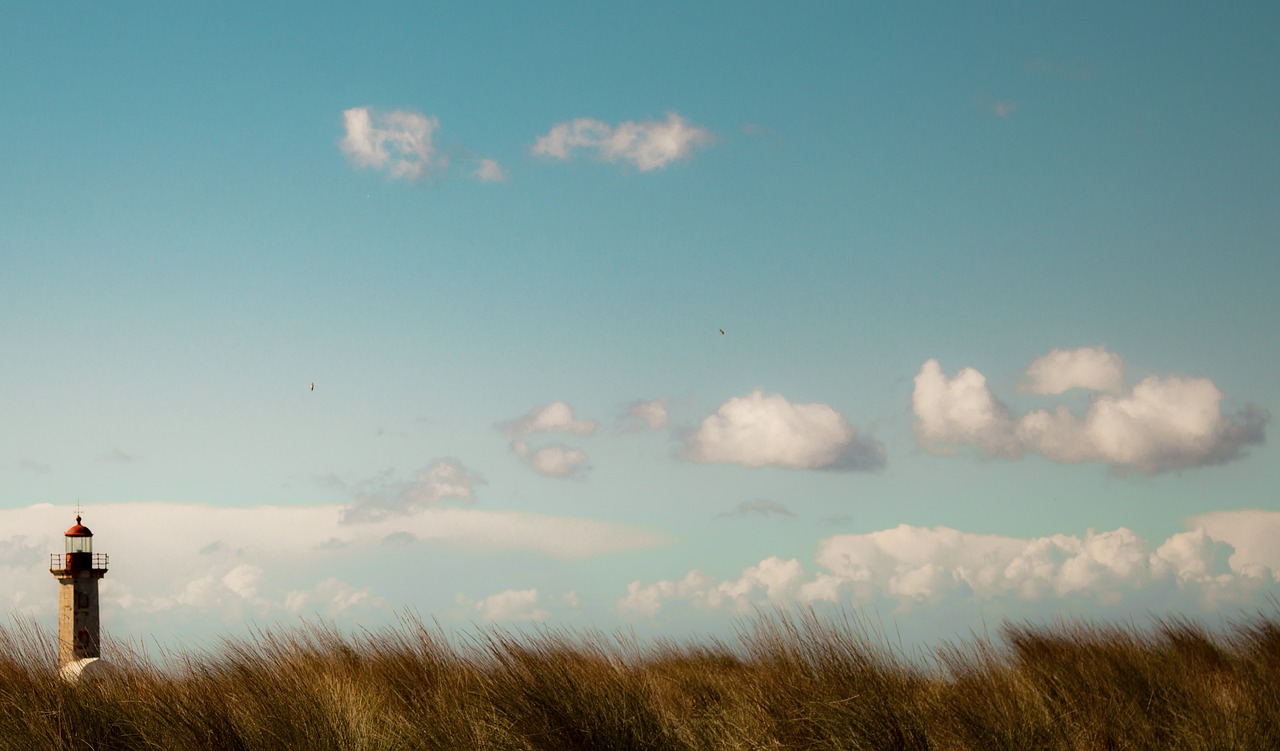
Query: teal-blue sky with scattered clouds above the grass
[502,242]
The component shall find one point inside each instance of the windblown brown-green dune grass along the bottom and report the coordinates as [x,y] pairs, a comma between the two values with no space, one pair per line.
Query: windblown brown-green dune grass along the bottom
[785,683]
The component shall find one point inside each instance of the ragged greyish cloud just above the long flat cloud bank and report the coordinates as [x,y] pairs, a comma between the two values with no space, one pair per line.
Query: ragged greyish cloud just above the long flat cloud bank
[383,497]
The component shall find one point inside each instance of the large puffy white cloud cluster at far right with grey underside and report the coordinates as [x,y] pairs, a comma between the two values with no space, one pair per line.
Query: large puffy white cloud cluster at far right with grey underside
[1162,424]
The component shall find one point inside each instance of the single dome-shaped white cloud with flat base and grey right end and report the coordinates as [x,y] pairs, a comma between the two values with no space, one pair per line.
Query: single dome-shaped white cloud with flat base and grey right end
[761,431]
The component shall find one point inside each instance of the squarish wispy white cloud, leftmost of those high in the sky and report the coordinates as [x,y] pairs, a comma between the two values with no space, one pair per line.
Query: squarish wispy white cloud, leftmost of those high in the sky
[399,143]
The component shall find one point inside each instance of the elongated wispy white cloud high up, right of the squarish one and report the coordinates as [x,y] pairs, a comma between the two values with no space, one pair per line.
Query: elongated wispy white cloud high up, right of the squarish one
[647,145]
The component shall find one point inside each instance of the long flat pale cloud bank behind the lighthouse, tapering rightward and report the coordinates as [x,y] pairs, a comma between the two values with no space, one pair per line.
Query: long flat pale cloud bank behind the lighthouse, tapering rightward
[195,564]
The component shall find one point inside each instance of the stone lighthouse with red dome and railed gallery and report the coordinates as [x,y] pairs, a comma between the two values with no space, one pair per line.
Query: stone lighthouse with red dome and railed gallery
[77,573]
